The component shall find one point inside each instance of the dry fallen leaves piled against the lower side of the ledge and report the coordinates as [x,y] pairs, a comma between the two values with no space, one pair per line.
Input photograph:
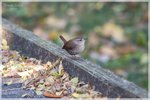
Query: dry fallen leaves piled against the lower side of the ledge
[48,79]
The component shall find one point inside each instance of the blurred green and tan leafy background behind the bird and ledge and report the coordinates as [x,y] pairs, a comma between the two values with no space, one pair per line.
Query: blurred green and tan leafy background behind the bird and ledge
[117,32]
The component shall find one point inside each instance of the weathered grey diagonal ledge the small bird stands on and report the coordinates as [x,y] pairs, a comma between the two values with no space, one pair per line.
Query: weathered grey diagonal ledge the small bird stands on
[104,80]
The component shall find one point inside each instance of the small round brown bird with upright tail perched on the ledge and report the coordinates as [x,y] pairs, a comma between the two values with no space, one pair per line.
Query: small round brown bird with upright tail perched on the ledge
[73,46]
